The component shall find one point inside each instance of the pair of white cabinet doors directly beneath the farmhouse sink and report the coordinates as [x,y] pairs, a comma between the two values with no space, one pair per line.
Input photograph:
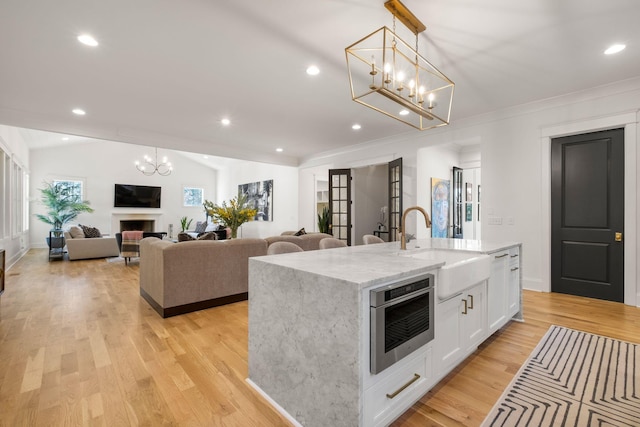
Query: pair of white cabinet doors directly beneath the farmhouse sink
[460,326]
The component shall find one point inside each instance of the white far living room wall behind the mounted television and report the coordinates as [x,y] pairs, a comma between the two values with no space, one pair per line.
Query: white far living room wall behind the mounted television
[102,164]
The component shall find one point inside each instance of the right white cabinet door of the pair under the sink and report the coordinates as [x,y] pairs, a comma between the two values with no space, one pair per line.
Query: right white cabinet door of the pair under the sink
[474,320]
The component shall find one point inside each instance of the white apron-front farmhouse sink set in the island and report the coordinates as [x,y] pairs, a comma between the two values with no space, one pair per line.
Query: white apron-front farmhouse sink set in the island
[460,271]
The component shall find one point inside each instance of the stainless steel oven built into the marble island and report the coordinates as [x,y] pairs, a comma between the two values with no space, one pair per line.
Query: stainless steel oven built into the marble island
[401,319]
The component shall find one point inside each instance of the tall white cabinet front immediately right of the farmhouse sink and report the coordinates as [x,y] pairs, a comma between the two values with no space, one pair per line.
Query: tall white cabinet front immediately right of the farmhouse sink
[497,292]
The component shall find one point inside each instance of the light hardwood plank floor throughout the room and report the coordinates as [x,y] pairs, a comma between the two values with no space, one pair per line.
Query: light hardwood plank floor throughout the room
[78,346]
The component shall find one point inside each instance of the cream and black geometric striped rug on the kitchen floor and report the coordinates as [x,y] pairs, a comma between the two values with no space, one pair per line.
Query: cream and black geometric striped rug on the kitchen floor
[573,378]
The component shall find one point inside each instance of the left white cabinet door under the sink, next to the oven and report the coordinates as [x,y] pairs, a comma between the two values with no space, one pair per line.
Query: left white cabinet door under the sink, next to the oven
[449,346]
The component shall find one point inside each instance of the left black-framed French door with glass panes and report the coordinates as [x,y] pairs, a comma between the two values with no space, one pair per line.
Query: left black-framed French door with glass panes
[340,204]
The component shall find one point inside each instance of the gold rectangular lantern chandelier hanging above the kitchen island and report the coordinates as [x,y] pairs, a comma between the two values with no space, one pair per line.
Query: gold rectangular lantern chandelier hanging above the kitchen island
[388,75]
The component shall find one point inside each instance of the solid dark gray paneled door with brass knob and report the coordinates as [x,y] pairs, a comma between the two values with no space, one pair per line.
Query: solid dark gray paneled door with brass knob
[587,215]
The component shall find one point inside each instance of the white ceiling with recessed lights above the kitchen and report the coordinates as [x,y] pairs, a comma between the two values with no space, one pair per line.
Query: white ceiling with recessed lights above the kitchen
[167,71]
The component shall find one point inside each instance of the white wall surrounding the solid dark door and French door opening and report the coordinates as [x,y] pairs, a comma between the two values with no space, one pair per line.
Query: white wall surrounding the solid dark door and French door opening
[515,184]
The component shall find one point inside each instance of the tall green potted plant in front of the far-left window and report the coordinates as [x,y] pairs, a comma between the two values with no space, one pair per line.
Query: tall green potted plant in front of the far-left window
[62,206]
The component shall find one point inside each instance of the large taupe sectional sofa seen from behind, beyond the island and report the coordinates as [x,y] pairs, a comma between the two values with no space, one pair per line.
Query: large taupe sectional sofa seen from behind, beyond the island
[177,278]
